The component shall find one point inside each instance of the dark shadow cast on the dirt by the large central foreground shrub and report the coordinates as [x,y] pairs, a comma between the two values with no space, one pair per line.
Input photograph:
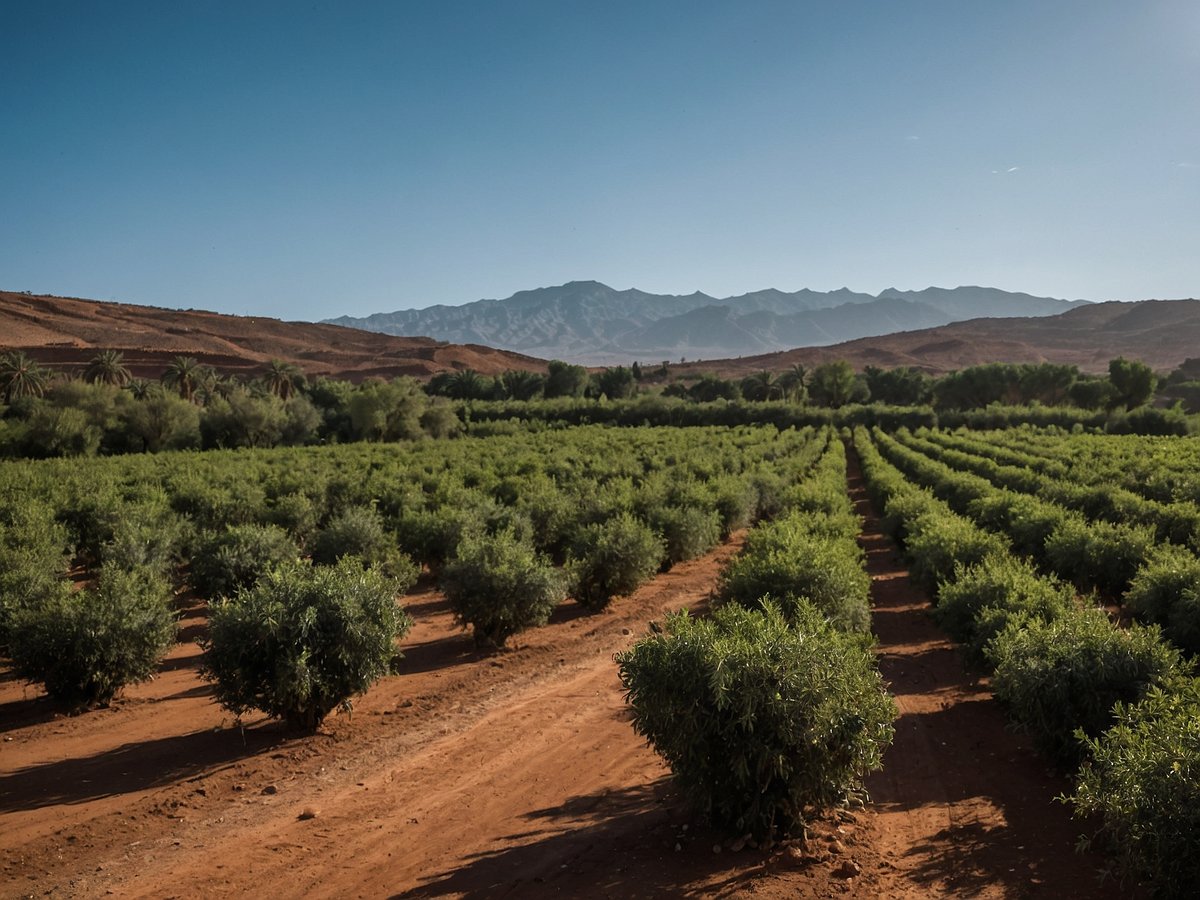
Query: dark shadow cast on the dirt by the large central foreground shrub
[619,843]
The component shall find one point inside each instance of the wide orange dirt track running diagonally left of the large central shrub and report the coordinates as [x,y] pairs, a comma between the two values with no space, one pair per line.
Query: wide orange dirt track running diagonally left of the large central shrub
[463,777]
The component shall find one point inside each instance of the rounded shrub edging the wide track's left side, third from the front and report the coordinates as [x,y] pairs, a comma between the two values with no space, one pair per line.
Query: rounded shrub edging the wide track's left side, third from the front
[613,559]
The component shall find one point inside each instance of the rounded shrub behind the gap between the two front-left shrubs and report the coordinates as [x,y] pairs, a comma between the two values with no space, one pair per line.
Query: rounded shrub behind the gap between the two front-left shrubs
[235,559]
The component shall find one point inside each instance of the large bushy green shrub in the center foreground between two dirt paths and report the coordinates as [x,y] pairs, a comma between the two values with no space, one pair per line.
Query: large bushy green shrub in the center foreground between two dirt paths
[763,721]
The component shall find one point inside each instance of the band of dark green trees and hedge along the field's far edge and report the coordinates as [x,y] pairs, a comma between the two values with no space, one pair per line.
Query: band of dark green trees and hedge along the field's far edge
[106,411]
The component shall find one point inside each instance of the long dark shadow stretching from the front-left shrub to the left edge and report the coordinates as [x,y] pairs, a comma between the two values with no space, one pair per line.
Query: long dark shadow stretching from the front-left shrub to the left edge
[134,767]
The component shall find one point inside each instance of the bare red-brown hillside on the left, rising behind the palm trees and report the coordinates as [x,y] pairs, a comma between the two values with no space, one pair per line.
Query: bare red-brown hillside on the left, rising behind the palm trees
[65,333]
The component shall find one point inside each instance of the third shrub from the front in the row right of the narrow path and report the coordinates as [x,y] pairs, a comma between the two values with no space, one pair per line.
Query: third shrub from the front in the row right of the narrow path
[981,602]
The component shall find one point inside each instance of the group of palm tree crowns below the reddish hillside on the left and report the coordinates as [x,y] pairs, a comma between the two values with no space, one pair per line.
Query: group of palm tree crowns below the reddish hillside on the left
[21,376]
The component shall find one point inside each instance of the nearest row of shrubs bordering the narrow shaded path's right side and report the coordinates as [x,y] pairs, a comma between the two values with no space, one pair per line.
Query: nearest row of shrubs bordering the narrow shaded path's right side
[1117,706]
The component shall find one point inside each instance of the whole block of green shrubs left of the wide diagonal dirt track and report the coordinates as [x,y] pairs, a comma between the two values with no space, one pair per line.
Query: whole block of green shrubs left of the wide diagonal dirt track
[502,567]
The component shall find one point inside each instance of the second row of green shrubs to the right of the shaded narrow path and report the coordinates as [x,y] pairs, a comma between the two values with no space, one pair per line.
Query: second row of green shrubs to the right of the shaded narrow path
[1159,583]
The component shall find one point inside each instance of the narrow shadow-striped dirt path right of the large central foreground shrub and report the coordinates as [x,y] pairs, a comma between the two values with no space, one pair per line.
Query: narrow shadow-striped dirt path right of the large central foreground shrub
[965,808]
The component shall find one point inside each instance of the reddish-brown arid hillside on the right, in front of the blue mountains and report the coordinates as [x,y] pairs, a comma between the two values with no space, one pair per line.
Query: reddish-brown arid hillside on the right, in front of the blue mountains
[1160,333]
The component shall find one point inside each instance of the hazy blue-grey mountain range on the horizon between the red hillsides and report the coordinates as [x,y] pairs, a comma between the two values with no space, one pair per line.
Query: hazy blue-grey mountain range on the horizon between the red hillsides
[590,322]
